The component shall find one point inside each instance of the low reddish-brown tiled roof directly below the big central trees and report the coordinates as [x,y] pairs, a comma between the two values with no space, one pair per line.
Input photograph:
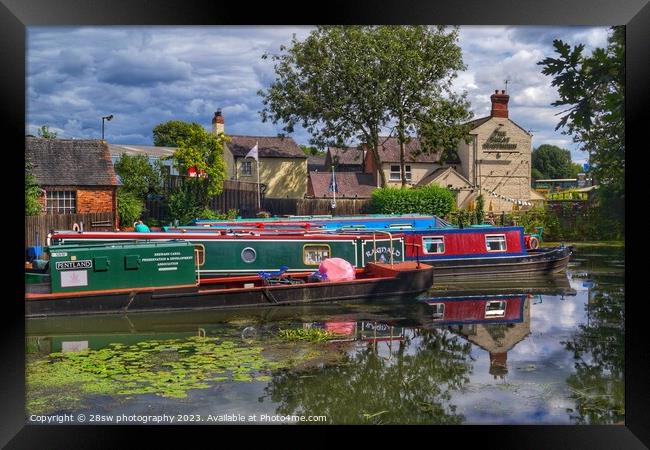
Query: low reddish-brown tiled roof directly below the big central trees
[348,184]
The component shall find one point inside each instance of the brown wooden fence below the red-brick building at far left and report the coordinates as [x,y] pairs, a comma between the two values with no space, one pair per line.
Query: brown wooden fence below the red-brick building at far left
[43,224]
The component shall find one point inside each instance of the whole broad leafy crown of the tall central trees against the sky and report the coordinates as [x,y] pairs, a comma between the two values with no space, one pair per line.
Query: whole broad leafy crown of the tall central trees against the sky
[348,83]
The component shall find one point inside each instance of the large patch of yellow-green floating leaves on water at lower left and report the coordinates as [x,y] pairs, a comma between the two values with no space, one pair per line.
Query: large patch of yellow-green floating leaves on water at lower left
[167,368]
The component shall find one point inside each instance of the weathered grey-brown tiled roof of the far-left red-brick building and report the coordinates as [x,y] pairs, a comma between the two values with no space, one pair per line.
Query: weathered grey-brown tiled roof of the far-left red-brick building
[70,162]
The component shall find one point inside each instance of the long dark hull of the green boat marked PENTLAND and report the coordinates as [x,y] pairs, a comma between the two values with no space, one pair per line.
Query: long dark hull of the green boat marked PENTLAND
[401,281]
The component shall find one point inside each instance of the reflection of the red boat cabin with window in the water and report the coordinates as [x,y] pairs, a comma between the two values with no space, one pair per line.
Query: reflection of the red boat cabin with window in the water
[477,309]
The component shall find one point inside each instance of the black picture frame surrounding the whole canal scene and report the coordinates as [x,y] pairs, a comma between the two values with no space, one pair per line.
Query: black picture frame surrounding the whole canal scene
[16,15]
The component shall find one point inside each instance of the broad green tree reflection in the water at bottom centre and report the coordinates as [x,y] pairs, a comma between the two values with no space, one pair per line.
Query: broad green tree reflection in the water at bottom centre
[413,386]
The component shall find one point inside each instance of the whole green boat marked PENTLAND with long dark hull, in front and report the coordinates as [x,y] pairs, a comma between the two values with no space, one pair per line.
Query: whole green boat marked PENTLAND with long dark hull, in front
[156,276]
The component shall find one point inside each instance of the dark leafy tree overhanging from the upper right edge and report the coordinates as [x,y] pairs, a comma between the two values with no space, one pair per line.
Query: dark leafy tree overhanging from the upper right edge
[592,89]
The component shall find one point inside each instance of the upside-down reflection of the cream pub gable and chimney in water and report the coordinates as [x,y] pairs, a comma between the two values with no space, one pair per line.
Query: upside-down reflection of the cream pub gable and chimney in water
[497,339]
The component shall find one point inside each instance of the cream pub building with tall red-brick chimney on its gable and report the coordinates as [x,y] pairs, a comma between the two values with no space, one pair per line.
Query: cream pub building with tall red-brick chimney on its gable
[496,163]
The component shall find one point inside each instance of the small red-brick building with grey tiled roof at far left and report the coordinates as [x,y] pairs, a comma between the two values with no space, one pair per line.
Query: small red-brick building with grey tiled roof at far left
[76,176]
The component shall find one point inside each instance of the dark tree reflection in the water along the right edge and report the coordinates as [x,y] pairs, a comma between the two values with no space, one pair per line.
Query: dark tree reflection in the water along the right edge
[598,347]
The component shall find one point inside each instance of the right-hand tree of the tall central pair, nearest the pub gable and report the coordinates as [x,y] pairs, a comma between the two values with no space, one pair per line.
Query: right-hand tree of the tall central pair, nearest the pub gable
[420,64]
